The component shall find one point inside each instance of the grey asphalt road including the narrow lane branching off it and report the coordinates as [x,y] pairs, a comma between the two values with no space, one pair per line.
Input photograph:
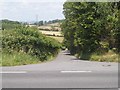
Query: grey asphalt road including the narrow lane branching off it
[64,72]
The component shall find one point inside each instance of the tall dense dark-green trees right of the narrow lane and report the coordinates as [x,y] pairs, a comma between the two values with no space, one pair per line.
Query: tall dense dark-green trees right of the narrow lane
[90,27]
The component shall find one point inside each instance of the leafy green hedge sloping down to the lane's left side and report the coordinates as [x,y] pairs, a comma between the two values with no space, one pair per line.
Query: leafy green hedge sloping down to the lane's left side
[30,41]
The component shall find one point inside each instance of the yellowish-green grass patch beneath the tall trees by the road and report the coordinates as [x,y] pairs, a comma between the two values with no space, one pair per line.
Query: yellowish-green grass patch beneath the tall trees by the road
[107,57]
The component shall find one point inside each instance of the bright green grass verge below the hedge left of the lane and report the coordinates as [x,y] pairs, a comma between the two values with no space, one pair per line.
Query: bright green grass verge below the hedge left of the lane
[18,58]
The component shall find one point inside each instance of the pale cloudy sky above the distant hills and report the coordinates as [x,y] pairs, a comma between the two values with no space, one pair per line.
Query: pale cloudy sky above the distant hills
[31,10]
